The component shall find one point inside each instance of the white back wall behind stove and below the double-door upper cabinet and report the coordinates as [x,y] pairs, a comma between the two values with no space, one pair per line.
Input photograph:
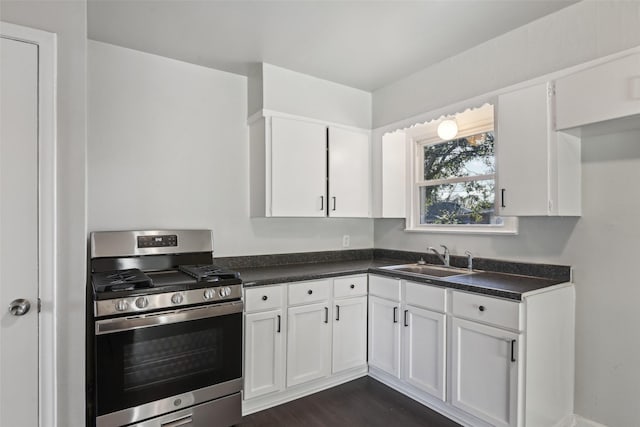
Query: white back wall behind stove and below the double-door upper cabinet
[168,147]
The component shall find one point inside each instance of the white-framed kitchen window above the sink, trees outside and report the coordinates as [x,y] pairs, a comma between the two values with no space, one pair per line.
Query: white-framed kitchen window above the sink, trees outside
[454,179]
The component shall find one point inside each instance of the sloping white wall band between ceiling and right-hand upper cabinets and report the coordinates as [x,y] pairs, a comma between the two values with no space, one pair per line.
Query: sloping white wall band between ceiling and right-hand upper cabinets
[581,32]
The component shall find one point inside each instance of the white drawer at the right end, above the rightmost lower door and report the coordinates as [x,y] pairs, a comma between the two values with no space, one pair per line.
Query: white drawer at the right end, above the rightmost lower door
[498,312]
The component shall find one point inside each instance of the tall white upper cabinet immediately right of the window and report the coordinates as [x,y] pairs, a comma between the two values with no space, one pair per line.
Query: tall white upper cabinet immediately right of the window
[538,168]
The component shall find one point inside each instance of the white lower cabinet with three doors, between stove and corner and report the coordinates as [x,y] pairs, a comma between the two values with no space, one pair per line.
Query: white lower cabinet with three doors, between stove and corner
[303,337]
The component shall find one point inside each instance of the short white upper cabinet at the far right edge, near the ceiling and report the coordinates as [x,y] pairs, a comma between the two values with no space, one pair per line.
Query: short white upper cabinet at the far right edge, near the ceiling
[603,92]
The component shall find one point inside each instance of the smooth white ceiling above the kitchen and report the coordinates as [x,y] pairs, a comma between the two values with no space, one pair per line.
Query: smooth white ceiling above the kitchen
[363,44]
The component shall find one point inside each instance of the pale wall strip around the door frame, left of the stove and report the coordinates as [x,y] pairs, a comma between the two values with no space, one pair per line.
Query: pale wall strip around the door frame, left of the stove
[68,20]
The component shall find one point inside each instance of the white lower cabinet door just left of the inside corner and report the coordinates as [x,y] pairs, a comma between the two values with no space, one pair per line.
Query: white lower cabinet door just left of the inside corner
[349,333]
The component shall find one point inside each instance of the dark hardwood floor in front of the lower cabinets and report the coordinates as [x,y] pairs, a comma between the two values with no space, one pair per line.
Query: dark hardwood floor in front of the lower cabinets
[362,402]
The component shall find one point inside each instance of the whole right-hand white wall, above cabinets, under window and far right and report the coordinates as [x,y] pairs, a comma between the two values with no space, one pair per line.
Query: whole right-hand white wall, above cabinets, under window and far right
[602,244]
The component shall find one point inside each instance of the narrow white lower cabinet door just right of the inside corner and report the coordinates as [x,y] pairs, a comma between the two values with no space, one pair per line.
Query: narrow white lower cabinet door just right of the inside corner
[384,335]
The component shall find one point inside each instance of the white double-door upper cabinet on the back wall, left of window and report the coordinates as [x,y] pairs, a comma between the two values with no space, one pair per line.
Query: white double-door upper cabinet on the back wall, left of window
[305,168]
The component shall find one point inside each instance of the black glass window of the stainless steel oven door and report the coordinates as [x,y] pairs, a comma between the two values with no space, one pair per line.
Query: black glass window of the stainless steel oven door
[143,365]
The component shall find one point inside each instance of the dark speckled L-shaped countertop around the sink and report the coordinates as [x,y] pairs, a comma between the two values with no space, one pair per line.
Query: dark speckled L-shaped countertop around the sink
[498,284]
